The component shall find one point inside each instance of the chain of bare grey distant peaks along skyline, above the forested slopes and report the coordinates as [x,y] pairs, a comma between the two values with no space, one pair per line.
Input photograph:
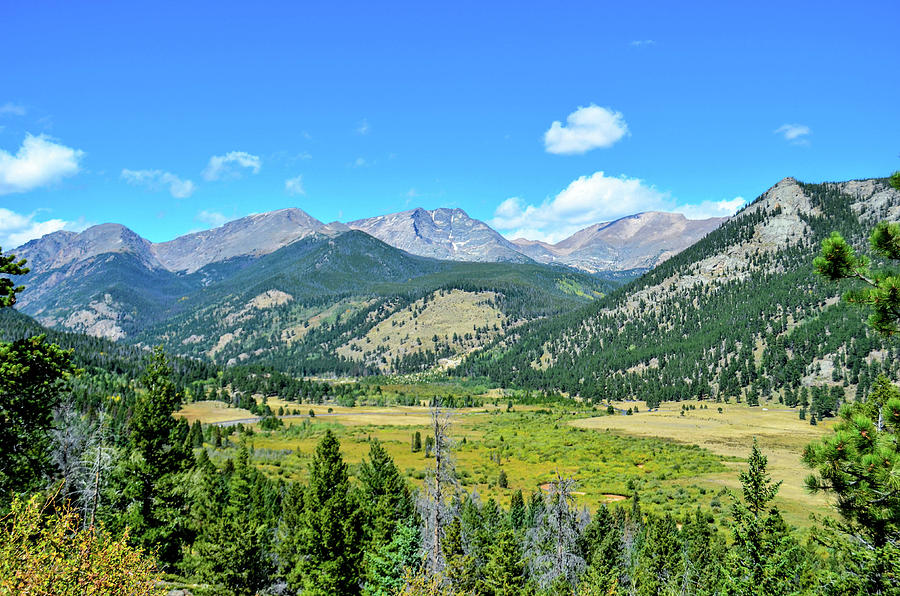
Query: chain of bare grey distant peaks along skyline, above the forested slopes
[635,242]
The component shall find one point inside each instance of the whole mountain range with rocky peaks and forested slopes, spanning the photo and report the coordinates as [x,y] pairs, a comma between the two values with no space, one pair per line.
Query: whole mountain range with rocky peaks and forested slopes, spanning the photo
[736,313]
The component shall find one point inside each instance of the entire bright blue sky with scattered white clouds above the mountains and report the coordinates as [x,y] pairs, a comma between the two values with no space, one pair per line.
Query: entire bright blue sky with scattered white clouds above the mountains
[173,117]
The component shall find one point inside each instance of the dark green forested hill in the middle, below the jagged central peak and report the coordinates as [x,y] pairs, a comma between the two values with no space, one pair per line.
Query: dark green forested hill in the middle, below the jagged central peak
[298,306]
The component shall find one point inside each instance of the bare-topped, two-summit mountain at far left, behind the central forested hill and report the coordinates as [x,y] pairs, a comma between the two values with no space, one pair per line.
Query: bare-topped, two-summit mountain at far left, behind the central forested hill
[109,282]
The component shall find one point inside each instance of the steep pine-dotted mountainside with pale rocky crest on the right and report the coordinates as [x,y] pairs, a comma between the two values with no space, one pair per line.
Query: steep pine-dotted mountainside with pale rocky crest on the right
[739,314]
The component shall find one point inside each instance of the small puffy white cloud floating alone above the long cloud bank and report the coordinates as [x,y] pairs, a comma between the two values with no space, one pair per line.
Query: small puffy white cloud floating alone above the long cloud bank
[586,128]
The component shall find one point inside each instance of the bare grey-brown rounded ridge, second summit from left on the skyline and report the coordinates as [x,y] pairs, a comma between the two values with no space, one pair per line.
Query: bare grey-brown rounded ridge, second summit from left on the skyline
[253,236]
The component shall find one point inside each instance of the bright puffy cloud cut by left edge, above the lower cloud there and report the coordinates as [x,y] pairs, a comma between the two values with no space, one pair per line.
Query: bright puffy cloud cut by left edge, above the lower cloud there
[39,162]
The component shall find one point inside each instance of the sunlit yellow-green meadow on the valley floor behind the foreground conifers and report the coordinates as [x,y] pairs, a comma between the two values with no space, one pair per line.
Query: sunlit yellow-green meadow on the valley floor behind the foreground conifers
[674,462]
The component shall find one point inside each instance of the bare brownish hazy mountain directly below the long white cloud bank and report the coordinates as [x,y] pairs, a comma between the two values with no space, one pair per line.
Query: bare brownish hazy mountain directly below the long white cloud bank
[639,241]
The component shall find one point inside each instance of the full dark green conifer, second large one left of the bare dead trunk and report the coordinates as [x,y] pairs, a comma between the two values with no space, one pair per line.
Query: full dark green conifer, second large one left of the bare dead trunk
[328,537]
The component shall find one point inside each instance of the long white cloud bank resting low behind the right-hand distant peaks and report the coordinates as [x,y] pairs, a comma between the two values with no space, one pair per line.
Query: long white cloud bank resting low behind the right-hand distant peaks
[594,199]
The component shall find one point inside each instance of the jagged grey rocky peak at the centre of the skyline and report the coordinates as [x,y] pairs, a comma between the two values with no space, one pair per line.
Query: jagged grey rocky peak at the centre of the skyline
[441,234]
